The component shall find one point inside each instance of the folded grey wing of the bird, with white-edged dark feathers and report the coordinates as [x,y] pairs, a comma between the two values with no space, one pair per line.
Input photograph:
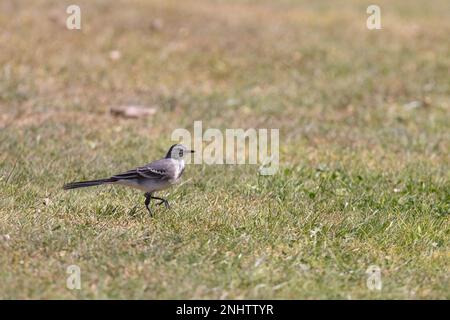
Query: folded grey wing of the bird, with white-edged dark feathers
[161,169]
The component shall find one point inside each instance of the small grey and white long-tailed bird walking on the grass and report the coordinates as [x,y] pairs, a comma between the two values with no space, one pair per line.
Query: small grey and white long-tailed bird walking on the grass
[150,178]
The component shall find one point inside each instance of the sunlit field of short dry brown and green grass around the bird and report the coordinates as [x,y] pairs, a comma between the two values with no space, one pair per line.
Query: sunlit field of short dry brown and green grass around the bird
[364,120]
